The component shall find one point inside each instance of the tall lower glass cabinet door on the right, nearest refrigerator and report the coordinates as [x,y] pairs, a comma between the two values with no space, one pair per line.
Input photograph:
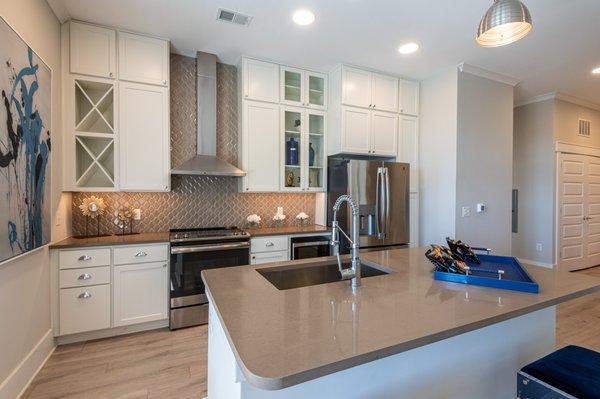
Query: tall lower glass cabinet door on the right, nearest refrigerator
[316,160]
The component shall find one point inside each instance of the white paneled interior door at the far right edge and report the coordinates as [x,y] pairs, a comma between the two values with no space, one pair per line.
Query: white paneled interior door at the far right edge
[578,192]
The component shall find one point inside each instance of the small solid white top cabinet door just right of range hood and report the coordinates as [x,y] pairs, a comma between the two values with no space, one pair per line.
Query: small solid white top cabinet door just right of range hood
[260,80]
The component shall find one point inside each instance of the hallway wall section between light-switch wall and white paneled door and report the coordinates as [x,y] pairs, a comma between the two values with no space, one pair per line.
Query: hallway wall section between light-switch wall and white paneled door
[534,177]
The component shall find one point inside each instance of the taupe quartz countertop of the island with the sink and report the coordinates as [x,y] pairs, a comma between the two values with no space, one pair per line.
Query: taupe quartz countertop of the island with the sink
[282,338]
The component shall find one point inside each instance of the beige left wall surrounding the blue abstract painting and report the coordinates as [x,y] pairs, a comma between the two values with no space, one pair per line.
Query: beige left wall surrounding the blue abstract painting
[25,281]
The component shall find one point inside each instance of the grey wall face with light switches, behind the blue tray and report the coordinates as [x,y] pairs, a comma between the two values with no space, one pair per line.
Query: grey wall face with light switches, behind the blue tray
[484,162]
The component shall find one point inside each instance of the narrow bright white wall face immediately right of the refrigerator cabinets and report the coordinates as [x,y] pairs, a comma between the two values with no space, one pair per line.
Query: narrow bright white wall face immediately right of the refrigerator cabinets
[437,157]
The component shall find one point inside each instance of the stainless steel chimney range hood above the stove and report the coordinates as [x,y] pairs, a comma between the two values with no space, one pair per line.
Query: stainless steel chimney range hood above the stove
[206,163]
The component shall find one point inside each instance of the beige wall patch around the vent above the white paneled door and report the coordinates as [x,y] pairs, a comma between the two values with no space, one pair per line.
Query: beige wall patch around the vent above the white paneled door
[566,123]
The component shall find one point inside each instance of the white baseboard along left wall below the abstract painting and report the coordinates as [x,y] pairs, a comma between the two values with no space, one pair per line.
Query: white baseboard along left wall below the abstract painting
[19,379]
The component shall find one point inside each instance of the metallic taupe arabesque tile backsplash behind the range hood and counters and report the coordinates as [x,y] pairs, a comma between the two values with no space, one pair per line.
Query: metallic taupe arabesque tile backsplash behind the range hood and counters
[197,201]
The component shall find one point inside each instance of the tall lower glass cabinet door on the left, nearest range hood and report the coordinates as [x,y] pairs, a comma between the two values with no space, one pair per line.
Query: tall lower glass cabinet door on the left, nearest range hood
[292,148]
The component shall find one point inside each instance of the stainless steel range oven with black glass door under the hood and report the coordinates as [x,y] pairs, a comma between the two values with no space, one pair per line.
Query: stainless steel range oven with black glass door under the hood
[193,251]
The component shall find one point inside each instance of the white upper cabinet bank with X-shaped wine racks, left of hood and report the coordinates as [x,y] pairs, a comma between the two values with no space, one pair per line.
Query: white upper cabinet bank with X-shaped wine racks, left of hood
[116,120]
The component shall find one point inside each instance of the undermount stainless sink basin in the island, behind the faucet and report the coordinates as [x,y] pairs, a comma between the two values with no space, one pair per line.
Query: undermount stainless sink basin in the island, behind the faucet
[286,277]
